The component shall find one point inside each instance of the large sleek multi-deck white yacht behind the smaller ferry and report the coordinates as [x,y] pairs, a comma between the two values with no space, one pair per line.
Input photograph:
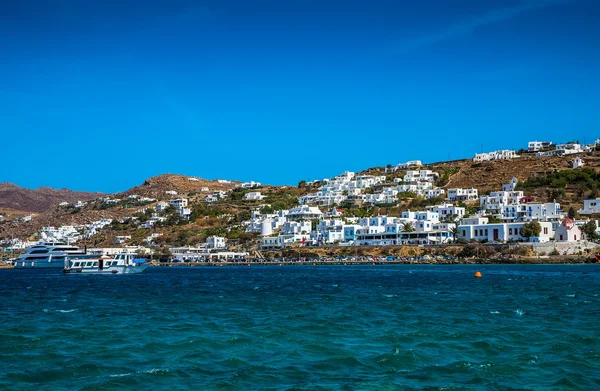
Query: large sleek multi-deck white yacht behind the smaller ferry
[49,255]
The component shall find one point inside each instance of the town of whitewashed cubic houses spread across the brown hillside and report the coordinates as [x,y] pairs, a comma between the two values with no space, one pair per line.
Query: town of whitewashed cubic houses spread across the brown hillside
[409,204]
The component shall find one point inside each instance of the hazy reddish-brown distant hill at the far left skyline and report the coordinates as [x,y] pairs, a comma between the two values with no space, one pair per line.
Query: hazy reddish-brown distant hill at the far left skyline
[39,200]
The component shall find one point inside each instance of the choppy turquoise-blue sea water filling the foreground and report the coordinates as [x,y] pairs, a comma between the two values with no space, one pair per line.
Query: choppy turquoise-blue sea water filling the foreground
[397,327]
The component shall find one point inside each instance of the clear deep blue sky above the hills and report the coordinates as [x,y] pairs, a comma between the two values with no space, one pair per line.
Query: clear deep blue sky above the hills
[100,95]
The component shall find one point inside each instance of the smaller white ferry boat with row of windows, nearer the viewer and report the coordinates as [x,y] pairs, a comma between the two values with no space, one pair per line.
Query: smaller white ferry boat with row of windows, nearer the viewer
[120,264]
